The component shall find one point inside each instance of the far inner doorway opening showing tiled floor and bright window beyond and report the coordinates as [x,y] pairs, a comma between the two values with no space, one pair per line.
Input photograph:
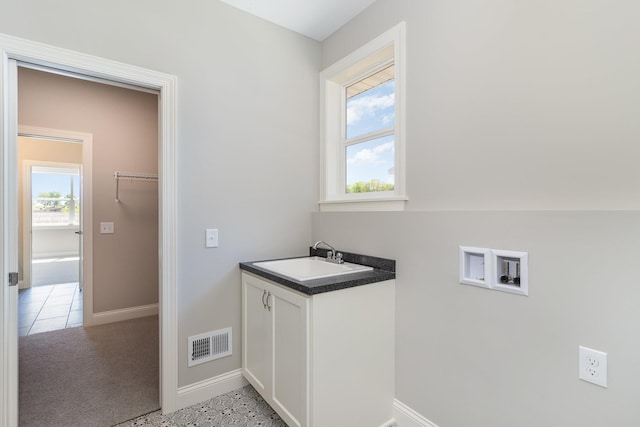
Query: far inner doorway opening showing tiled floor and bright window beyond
[50,297]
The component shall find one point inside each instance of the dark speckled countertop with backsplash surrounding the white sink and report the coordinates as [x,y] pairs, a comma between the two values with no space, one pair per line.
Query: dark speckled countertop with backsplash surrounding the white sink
[383,269]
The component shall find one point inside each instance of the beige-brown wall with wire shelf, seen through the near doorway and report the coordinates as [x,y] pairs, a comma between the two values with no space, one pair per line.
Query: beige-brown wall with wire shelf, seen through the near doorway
[124,126]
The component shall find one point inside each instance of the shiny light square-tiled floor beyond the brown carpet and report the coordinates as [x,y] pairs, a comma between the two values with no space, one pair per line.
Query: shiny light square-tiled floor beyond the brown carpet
[49,308]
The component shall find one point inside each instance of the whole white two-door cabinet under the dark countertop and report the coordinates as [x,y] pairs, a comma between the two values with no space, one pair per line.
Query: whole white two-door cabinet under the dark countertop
[321,360]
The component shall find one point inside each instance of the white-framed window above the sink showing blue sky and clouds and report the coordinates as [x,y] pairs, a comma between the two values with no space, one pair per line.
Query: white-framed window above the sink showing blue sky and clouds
[362,128]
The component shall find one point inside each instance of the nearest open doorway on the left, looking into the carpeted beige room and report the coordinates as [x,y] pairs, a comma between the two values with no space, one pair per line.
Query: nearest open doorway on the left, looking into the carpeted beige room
[125,281]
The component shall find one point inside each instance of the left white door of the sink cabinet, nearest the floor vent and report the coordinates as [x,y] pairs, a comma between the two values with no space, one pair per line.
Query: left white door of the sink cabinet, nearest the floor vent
[256,332]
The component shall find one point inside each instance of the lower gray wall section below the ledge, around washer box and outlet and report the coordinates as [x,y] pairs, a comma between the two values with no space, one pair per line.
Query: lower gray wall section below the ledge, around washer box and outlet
[467,356]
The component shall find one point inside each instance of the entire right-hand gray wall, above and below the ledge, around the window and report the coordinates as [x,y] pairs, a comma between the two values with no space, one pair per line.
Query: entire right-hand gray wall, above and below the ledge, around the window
[522,134]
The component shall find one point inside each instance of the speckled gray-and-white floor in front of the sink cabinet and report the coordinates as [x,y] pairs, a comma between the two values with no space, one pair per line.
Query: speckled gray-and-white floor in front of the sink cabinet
[242,407]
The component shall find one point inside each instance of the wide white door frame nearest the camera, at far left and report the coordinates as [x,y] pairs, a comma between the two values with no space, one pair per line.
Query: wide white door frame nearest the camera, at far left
[12,51]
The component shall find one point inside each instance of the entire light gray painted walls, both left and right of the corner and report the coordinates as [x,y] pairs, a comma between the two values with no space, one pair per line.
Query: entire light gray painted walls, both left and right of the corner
[521,135]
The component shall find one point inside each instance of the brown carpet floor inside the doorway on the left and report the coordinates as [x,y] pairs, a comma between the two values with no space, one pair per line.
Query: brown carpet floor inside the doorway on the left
[93,377]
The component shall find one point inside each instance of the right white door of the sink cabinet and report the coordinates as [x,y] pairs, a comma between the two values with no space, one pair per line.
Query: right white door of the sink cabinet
[290,354]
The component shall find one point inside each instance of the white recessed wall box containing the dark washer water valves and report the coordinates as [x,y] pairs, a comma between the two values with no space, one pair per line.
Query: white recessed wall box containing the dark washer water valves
[511,271]
